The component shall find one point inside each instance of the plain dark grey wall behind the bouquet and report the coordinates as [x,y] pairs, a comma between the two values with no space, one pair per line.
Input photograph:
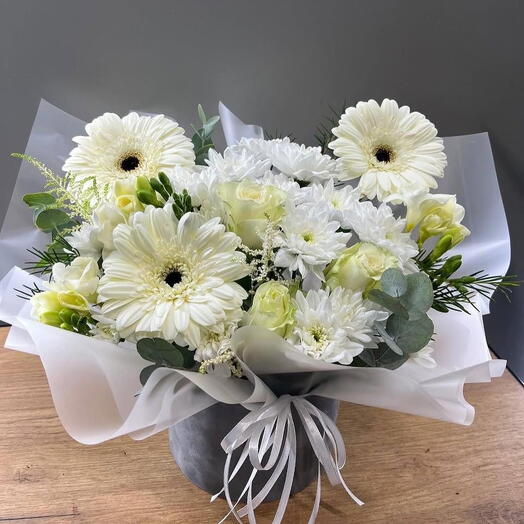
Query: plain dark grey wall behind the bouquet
[280,64]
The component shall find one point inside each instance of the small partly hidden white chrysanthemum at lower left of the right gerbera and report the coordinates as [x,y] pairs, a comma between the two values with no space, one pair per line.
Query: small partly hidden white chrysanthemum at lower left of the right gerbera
[339,200]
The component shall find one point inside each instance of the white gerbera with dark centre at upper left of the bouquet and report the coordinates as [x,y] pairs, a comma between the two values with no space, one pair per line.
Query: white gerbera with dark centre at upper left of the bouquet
[119,148]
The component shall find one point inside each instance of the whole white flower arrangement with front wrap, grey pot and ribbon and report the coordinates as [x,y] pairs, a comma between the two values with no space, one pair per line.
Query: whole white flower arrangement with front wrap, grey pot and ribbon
[235,298]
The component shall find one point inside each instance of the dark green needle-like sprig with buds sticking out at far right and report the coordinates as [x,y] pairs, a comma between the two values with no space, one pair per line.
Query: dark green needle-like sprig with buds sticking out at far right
[457,294]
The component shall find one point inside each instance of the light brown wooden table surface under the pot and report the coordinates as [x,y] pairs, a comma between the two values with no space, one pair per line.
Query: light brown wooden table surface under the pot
[407,469]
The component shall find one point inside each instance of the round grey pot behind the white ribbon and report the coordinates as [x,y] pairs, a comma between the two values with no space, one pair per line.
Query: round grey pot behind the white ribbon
[195,442]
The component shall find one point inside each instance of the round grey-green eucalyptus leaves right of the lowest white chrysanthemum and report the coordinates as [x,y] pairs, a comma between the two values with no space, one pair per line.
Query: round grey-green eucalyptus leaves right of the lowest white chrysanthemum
[408,329]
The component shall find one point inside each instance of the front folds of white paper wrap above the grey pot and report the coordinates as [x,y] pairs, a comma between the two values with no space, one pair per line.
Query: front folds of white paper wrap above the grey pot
[95,384]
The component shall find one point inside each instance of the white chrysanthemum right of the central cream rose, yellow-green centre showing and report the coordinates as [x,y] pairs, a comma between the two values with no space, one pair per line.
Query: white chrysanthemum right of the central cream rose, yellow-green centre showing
[309,242]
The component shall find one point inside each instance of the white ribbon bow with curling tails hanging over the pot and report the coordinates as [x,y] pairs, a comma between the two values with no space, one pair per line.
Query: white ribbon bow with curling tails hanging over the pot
[270,429]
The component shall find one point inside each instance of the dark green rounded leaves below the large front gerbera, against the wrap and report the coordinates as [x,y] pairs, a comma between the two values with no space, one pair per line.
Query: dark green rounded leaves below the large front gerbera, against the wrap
[164,354]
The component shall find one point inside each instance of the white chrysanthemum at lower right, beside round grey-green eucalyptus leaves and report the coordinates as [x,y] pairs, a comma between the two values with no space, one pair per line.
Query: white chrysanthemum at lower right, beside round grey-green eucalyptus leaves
[333,326]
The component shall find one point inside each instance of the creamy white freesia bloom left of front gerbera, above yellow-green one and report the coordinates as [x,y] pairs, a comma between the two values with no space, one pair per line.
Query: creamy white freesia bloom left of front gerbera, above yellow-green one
[82,276]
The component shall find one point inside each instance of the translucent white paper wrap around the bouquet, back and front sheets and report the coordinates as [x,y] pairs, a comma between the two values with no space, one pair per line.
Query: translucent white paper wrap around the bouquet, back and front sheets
[95,384]
